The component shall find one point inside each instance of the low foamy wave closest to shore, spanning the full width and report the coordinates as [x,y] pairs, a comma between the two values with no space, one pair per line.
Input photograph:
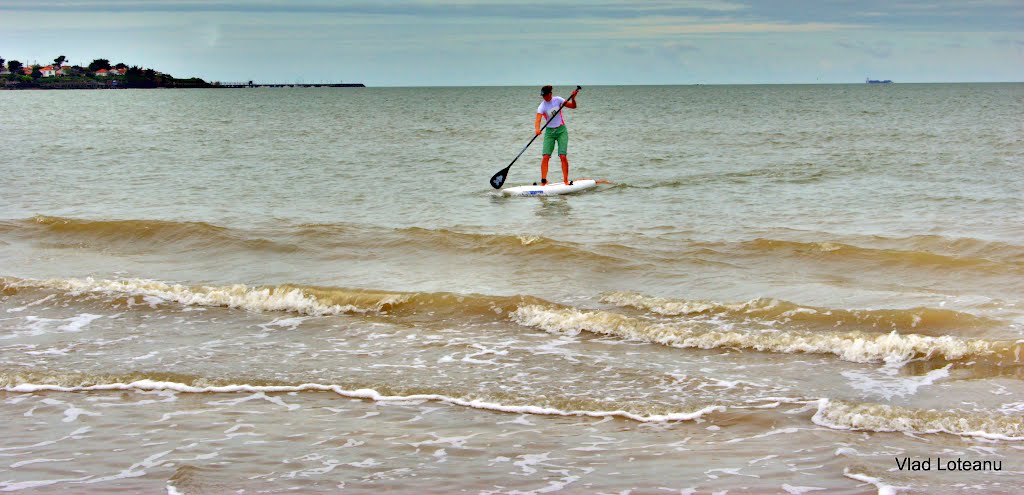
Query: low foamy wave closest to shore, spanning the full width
[829,414]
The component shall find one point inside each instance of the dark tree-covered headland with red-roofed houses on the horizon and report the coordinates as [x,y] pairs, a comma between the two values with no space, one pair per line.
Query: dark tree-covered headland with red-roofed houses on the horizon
[87,77]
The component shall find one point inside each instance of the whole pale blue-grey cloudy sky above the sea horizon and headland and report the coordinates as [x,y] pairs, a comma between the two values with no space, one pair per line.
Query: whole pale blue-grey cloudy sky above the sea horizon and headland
[528,43]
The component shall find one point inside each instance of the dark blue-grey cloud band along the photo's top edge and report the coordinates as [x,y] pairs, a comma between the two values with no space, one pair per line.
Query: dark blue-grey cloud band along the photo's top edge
[781,16]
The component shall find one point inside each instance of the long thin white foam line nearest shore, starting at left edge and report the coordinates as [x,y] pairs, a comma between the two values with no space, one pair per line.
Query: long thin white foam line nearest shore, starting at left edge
[363,394]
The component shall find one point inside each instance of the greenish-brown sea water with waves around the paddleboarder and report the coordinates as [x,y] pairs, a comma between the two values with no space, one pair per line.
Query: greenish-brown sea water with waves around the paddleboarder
[786,290]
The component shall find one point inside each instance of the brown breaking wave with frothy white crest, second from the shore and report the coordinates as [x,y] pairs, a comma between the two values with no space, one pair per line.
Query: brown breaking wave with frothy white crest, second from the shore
[854,346]
